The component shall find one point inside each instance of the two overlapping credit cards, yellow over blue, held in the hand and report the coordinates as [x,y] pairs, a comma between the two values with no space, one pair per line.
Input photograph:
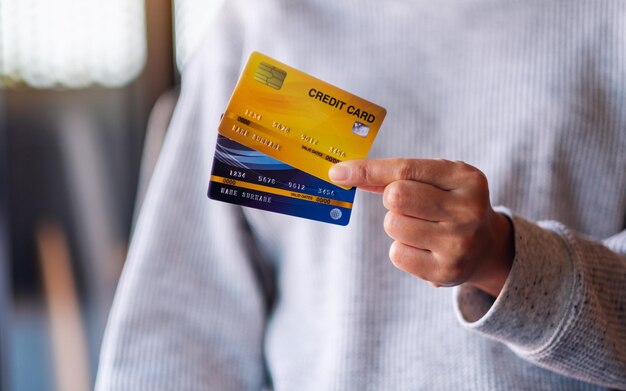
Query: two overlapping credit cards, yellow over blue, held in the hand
[281,133]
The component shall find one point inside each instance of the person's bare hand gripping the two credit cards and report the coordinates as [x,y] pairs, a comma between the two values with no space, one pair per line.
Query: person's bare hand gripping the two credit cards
[440,217]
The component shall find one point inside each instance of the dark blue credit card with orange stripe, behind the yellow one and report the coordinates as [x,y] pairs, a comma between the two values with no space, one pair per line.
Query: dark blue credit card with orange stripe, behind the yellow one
[247,177]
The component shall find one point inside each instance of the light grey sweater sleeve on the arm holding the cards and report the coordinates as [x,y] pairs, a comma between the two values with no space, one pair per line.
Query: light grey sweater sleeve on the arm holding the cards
[563,306]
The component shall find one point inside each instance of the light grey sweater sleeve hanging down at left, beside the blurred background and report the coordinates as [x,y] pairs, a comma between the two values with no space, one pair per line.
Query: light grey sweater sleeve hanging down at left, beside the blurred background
[191,305]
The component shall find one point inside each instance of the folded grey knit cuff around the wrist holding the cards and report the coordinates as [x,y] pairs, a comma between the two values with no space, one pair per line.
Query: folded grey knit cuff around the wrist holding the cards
[533,304]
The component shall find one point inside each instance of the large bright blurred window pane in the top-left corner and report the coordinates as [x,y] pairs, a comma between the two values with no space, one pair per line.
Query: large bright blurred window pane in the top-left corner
[71,43]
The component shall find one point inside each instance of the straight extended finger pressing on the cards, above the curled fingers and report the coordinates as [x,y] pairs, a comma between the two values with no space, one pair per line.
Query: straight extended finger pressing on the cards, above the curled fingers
[376,173]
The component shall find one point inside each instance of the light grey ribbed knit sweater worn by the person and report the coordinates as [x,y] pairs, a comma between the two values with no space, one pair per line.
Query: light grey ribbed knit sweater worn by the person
[532,92]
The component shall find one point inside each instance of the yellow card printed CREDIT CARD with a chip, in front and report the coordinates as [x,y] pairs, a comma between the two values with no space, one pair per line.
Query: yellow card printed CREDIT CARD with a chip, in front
[298,119]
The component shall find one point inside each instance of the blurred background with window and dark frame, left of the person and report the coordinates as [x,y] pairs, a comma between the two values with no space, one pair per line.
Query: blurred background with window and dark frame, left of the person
[87,88]
